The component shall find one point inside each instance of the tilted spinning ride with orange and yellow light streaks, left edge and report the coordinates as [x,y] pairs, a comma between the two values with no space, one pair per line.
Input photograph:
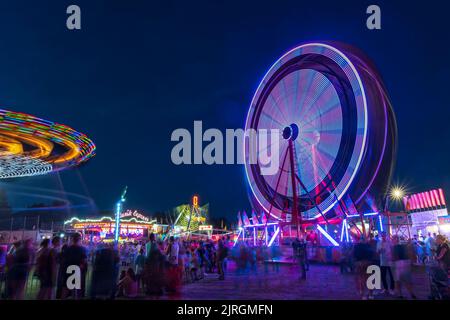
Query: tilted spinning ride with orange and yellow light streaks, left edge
[32,146]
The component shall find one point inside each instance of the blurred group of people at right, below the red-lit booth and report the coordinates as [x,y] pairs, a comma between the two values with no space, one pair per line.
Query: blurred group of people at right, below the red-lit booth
[395,257]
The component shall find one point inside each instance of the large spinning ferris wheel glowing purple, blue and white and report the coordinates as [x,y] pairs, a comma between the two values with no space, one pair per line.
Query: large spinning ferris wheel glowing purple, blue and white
[336,133]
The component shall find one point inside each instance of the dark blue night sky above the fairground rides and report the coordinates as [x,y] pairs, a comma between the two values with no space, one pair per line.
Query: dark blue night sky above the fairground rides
[139,69]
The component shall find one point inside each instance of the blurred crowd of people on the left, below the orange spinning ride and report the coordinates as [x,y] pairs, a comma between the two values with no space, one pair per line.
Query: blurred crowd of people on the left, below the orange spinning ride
[150,267]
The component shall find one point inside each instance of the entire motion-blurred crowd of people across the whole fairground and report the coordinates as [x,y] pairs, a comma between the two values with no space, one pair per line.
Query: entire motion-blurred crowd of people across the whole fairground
[154,266]
